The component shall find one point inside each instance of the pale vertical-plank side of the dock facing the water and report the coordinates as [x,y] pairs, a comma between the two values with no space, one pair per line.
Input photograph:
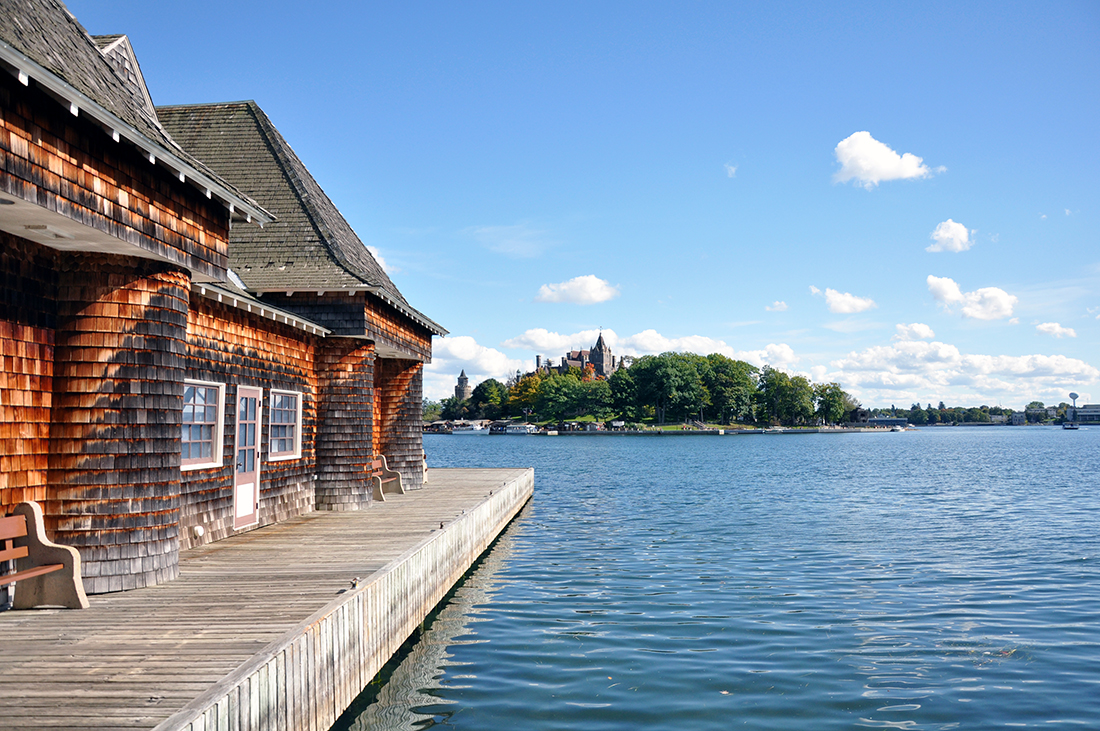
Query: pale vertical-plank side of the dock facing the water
[306,680]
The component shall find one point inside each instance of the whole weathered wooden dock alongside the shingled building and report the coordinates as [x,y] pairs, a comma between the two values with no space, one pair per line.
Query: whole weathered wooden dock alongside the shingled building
[262,632]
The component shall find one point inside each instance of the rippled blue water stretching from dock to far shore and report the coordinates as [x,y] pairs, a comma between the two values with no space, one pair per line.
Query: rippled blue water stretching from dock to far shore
[933,580]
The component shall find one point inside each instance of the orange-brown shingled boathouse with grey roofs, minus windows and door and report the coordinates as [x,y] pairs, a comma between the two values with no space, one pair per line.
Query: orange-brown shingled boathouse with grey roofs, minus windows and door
[124,283]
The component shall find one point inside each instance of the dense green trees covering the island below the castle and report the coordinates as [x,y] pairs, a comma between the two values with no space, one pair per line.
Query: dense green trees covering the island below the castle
[666,389]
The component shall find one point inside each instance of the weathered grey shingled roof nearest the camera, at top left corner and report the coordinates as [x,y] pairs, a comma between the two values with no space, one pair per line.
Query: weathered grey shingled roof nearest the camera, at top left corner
[41,40]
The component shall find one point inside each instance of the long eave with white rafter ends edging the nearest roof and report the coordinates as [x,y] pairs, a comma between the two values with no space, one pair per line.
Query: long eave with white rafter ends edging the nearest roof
[25,69]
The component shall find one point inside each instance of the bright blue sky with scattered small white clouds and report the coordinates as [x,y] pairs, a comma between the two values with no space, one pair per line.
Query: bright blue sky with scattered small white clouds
[711,178]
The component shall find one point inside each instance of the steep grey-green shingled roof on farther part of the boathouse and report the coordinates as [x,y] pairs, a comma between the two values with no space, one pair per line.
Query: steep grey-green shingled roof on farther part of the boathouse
[311,248]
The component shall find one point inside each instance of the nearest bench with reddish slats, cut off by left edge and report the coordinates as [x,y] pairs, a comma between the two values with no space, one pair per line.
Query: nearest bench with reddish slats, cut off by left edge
[48,574]
